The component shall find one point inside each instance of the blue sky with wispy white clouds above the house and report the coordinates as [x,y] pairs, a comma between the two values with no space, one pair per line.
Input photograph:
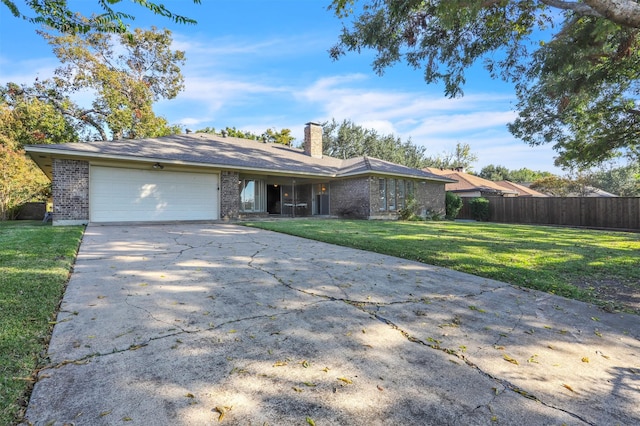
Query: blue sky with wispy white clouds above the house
[255,64]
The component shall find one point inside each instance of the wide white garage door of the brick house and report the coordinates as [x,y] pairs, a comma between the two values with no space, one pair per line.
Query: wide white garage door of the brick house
[123,195]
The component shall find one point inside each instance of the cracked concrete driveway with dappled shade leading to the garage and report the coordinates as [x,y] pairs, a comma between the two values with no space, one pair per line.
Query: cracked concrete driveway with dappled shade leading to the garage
[196,324]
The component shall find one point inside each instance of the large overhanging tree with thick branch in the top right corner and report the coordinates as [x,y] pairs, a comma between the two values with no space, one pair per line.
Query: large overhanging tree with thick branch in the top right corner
[578,89]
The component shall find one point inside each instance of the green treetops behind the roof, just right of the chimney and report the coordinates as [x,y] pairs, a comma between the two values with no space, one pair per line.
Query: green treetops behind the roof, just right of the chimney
[349,140]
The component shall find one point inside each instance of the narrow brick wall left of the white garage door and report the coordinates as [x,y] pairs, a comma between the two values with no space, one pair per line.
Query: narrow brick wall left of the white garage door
[70,188]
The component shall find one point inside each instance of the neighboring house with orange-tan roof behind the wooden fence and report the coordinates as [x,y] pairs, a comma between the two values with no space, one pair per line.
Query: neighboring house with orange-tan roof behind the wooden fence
[471,186]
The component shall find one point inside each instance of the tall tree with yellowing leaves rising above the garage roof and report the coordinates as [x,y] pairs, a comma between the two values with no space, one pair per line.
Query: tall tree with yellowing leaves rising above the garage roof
[127,73]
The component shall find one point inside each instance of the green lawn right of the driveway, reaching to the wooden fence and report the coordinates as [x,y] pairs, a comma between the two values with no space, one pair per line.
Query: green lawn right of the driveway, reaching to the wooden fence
[595,266]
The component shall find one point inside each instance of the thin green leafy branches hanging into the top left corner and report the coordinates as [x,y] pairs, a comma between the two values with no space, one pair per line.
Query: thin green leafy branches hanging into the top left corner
[58,15]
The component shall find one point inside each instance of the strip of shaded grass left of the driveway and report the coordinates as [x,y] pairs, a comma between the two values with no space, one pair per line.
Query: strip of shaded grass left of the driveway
[35,260]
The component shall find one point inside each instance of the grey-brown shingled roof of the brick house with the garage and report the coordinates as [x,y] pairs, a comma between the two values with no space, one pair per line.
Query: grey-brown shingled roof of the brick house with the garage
[216,151]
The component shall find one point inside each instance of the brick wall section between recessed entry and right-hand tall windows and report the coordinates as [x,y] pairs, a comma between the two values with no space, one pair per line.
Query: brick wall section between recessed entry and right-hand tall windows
[350,198]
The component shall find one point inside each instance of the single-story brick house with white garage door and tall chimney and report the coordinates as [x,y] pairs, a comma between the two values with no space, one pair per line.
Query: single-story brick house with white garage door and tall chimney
[211,177]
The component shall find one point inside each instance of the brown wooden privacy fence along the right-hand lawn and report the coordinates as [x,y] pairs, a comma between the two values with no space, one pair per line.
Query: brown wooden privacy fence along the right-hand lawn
[594,212]
